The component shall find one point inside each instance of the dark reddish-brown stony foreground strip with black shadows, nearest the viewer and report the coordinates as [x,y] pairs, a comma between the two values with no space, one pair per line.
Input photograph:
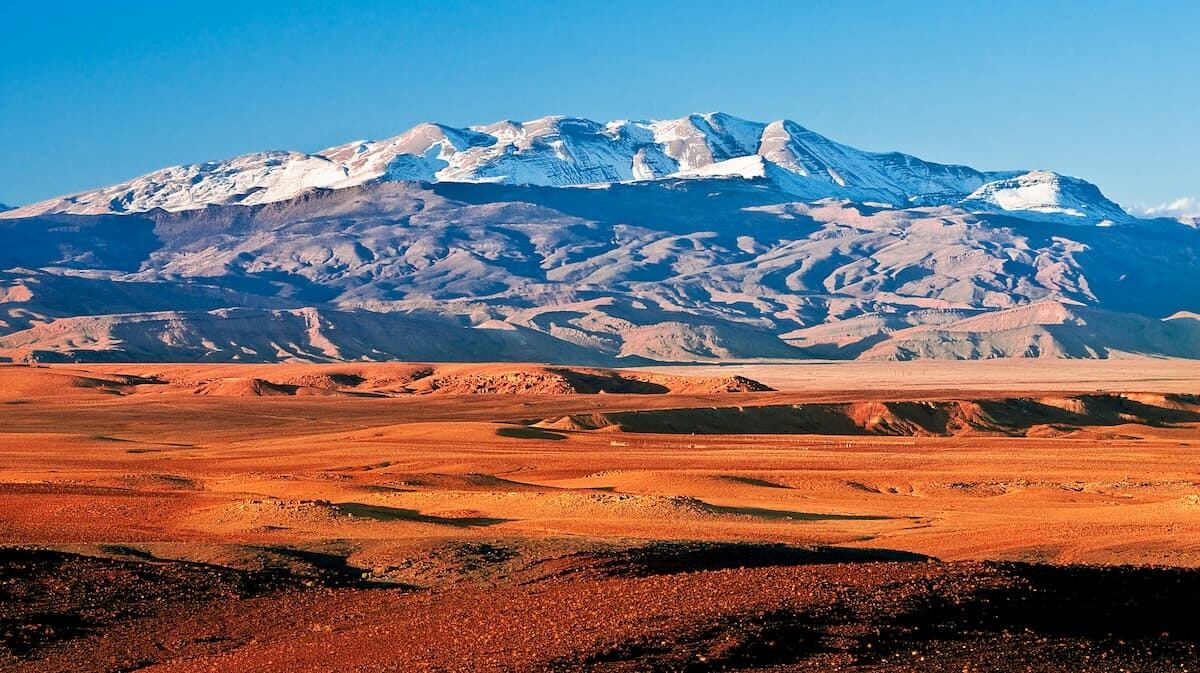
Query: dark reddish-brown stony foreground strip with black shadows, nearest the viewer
[689,608]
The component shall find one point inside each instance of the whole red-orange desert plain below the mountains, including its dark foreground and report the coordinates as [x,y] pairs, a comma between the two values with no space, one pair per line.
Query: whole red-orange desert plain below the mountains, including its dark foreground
[521,518]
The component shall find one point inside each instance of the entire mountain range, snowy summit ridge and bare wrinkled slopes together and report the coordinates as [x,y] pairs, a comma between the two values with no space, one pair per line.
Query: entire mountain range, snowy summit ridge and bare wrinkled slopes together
[562,239]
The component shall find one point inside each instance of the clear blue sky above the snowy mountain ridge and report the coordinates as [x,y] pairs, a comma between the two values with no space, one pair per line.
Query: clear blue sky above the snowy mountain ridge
[97,93]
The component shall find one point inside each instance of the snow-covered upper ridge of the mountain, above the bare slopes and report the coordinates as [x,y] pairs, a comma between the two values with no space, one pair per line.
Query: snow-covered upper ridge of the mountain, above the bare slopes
[561,152]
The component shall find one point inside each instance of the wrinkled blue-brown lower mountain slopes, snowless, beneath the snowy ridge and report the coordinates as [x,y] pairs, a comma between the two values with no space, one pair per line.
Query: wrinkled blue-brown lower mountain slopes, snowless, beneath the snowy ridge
[688,268]
